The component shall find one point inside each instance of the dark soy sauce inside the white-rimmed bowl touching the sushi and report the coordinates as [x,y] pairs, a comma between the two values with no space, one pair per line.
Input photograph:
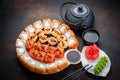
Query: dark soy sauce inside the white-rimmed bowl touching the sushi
[73,56]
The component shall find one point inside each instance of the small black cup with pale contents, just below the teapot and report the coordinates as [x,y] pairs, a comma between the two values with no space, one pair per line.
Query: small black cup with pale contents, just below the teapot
[90,36]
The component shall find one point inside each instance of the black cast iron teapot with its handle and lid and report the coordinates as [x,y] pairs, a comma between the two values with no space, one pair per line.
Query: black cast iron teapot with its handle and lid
[79,16]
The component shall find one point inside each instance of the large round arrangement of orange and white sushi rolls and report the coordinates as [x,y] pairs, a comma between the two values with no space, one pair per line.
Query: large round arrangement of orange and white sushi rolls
[41,46]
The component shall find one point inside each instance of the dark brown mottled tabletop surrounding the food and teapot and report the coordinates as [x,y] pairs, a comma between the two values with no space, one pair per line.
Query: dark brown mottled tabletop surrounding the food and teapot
[16,14]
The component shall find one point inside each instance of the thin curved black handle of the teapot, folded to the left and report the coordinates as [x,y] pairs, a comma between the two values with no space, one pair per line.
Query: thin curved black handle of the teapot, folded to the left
[61,14]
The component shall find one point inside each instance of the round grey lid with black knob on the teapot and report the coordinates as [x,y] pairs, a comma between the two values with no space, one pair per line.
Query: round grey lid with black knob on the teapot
[80,10]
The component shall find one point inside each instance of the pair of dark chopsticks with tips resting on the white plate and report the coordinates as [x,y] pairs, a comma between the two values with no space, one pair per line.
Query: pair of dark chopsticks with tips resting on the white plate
[76,74]
